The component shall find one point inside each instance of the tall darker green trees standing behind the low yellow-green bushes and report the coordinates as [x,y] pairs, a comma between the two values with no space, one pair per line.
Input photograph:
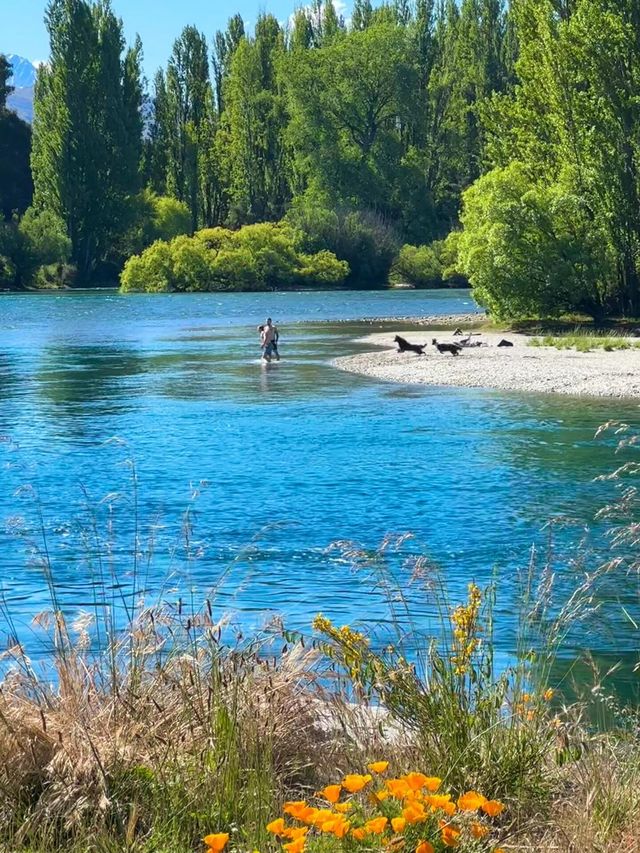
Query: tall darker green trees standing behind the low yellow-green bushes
[361,135]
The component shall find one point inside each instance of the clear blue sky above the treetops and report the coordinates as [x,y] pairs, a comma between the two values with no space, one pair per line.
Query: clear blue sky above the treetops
[158,22]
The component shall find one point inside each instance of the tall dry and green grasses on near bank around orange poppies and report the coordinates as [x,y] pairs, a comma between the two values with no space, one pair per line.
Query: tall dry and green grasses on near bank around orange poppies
[168,731]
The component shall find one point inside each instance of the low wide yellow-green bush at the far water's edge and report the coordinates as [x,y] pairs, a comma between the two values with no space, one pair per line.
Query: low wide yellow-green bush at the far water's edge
[256,257]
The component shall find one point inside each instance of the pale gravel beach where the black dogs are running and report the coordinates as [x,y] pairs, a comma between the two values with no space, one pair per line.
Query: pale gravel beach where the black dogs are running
[519,368]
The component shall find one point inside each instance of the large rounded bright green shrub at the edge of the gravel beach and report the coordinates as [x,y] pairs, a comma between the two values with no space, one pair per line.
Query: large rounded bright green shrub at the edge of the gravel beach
[532,249]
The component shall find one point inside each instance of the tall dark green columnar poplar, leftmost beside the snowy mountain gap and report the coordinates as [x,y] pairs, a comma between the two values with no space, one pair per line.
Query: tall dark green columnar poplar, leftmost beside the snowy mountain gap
[86,132]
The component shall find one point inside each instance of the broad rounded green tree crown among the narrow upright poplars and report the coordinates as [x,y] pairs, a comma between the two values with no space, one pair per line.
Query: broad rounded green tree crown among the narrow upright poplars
[347,100]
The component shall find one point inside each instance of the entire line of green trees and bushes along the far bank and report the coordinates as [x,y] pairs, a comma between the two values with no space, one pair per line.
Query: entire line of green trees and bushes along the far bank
[429,141]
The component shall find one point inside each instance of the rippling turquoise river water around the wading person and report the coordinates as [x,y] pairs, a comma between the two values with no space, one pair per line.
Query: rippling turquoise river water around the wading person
[274,463]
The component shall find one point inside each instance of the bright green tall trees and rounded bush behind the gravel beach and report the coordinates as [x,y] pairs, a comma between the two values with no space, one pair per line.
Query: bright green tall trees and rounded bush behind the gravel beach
[556,225]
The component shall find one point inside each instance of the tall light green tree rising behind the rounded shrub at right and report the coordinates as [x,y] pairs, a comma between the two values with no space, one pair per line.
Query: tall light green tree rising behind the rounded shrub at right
[575,112]
